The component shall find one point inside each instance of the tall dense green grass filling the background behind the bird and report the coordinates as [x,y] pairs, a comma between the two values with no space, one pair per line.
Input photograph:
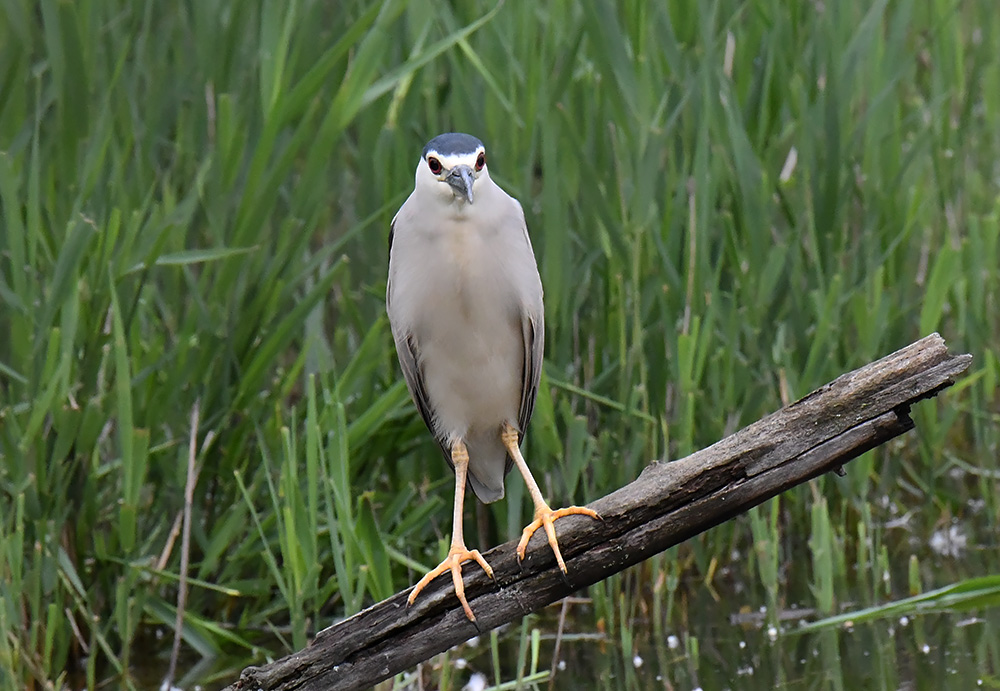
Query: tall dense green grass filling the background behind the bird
[730,205]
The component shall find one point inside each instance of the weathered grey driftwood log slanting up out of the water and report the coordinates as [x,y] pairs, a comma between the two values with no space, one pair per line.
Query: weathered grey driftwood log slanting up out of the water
[667,504]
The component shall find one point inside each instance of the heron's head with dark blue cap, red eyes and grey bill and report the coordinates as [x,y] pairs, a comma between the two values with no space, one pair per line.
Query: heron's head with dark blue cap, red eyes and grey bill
[451,166]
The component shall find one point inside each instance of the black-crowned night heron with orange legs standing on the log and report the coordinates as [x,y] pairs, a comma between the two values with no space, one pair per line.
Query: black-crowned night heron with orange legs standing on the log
[464,300]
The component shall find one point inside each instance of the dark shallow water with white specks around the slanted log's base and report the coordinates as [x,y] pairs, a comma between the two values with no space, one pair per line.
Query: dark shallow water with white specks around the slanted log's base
[722,638]
